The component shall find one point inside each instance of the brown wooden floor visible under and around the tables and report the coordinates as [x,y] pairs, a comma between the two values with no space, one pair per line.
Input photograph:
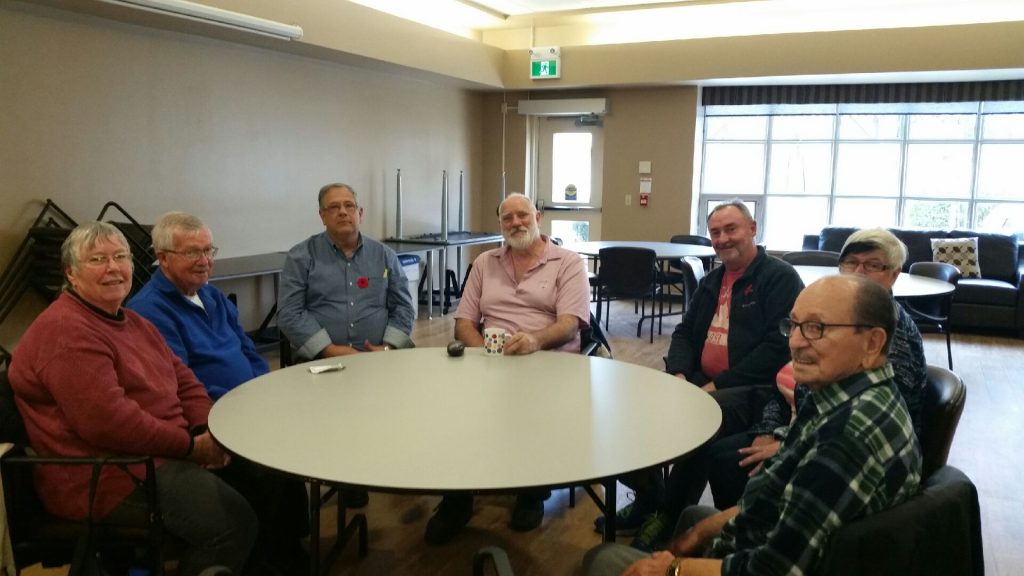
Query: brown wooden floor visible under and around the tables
[986,448]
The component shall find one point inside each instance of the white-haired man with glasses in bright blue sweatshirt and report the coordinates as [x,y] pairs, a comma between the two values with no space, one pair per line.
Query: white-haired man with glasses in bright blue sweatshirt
[201,326]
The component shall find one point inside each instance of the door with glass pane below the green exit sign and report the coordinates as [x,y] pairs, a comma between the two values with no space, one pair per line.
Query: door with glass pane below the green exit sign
[568,160]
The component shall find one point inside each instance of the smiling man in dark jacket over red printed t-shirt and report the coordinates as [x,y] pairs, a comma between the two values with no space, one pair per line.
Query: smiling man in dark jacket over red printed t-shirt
[729,343]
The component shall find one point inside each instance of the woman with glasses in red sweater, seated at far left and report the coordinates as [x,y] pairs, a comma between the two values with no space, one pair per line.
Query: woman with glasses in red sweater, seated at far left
[94,379]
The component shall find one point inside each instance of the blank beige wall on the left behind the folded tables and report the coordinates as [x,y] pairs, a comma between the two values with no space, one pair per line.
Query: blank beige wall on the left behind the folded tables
[96,110]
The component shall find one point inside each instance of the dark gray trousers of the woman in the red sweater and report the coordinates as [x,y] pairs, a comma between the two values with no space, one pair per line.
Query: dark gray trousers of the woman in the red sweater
[216,523]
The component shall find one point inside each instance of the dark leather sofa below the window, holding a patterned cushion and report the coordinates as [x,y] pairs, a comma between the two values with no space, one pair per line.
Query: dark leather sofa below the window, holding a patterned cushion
[994,302]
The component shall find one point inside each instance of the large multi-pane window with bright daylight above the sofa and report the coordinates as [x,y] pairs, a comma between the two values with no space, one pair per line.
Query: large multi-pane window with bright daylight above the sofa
[806,167]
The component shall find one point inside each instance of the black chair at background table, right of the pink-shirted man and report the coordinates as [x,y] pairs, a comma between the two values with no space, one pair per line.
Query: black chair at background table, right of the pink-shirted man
[629,273]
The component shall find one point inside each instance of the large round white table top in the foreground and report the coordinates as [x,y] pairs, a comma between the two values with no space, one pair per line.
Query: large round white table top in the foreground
[419,421]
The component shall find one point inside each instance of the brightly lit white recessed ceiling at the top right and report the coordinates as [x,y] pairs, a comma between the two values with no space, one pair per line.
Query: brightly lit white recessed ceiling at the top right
[522,24]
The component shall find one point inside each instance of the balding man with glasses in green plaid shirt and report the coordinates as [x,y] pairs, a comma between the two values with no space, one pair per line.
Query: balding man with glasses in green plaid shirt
[850,454]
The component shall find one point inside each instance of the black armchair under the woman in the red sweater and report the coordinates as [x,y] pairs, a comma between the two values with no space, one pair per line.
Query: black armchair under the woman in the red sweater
[38,537]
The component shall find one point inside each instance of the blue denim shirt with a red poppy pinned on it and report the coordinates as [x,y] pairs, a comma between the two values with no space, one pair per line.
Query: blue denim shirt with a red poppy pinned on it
[328,299]
